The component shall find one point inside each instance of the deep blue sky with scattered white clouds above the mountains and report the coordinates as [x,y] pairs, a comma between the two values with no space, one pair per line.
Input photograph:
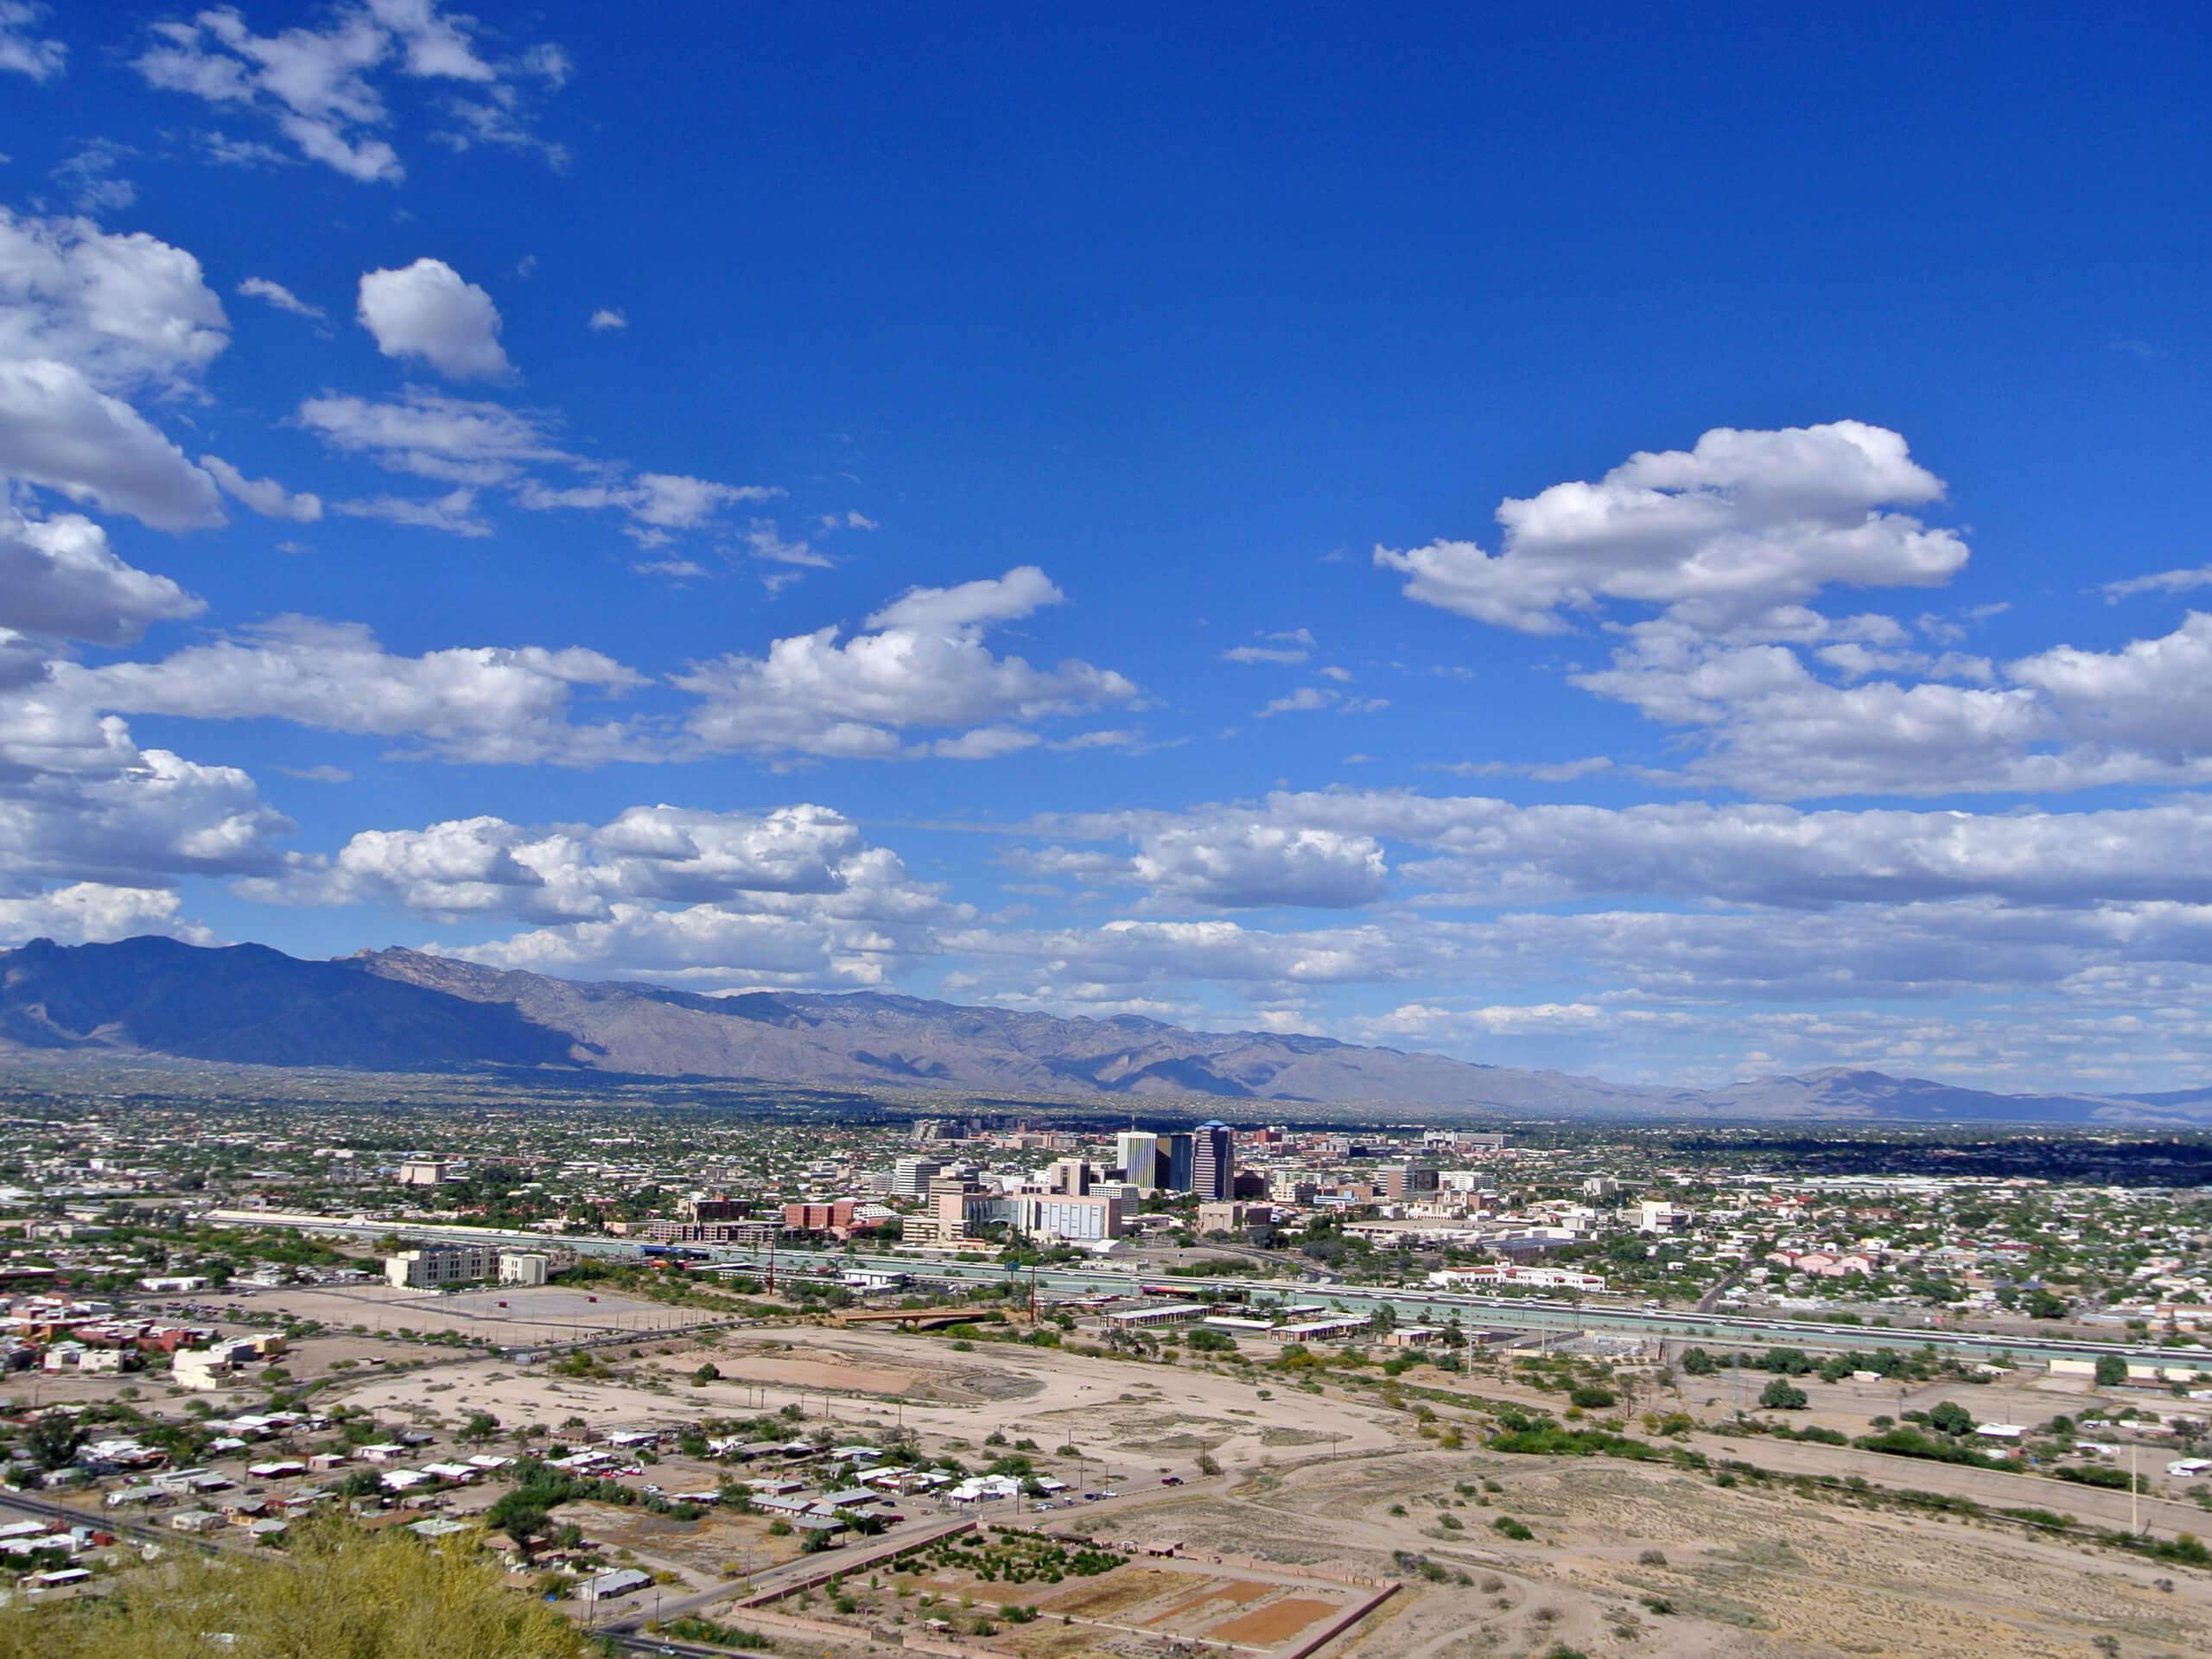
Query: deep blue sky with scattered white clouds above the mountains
[1583,539]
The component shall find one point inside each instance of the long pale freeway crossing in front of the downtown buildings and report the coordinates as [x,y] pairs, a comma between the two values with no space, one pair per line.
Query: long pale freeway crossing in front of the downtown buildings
[1412,1306]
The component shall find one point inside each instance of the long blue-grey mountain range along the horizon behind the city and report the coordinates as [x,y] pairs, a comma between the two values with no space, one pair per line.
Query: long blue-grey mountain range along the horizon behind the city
[408,1012]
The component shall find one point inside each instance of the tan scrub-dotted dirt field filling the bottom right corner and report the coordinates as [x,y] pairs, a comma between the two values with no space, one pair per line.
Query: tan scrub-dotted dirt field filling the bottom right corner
[1640,1563]
